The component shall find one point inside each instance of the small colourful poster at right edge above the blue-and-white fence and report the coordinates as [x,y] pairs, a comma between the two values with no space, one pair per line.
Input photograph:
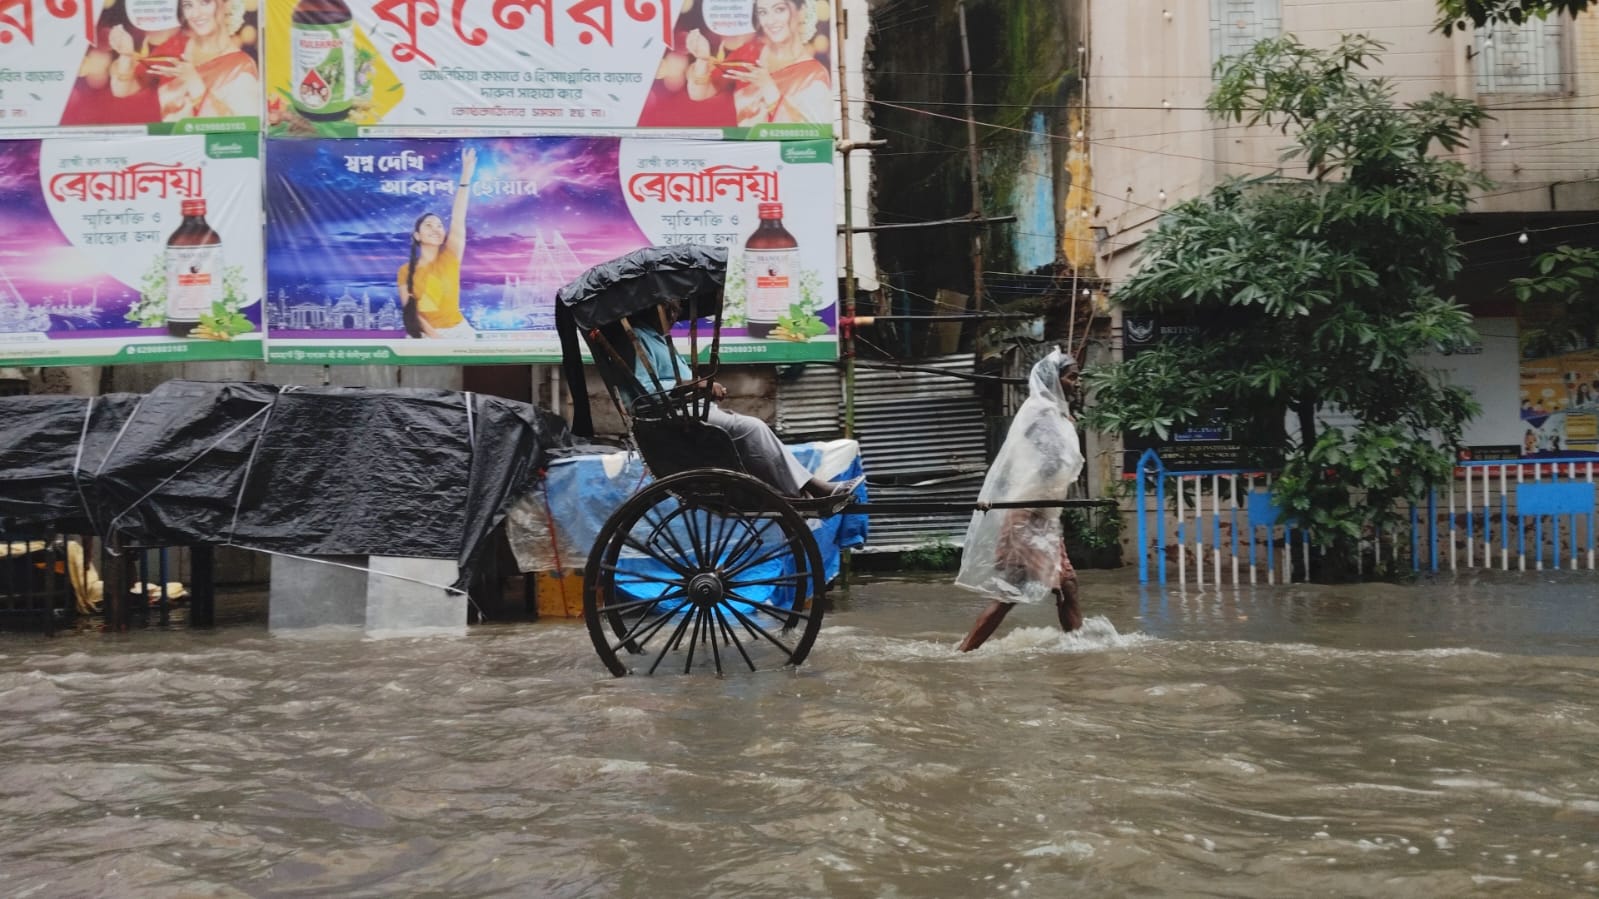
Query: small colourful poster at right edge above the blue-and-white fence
[1560,382]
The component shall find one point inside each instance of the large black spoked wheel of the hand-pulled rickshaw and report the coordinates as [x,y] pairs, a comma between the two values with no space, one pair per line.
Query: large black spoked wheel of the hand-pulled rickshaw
[704,569]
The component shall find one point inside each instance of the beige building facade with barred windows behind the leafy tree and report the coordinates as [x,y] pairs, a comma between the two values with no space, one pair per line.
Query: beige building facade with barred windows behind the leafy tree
[1152,145]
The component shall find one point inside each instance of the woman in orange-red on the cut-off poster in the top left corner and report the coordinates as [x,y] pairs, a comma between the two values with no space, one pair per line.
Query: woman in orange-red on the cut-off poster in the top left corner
[210,78]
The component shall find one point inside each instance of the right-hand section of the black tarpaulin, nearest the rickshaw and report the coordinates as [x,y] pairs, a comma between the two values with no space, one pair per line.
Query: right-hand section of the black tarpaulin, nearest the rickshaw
[343,471]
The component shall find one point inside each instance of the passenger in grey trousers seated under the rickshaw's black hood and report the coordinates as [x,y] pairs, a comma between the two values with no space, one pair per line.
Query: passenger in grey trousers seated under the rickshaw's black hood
[760,450]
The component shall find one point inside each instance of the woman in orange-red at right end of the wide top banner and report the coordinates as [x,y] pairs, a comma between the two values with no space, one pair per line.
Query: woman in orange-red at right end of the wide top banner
[776,78]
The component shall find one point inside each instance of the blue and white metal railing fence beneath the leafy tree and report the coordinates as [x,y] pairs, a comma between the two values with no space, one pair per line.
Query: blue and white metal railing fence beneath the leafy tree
[1224,527]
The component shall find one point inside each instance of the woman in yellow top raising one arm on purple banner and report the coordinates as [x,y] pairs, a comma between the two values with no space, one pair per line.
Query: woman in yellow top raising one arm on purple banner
[431,281]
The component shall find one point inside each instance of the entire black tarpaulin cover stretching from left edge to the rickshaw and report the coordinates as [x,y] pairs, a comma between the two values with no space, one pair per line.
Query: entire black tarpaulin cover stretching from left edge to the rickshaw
[308,471]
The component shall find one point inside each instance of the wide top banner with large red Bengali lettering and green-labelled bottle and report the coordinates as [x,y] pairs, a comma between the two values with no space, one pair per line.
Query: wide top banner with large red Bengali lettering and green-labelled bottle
[418,68]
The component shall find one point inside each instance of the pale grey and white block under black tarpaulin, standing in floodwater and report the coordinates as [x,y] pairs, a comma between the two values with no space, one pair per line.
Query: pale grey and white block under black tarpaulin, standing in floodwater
[393,599]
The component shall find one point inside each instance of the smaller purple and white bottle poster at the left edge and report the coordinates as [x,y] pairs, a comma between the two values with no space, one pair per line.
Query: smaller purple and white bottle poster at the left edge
[138,250]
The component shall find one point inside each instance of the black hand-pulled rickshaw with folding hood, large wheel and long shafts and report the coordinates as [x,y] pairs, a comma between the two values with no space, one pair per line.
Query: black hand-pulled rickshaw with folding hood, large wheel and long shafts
[706,565]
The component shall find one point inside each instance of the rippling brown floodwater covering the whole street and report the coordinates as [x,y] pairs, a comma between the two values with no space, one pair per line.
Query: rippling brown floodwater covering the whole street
[1275,741]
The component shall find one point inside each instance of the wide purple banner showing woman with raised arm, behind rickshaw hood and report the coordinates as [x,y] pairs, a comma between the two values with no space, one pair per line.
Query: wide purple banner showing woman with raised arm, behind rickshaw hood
[452,250]
